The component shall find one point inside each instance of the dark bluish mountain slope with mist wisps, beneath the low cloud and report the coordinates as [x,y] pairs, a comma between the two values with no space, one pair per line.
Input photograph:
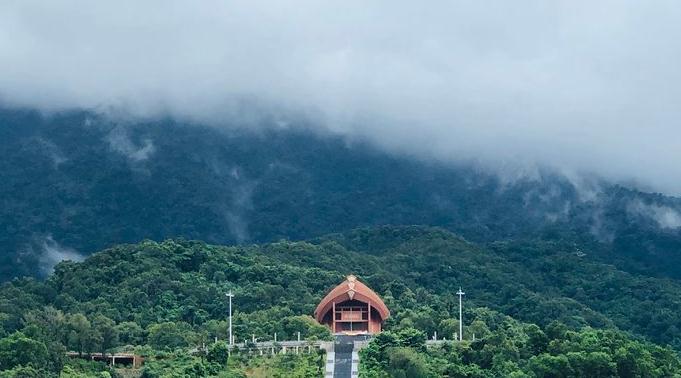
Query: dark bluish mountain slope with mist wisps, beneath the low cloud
[74,183]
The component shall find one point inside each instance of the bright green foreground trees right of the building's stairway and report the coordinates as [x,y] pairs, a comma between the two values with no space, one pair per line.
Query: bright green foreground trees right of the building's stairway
[504,347]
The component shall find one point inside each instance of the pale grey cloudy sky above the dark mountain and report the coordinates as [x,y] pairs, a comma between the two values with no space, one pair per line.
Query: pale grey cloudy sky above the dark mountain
[581,86]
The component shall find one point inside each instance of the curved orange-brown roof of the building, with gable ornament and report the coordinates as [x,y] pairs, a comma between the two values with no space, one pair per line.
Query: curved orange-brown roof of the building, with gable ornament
[349,289]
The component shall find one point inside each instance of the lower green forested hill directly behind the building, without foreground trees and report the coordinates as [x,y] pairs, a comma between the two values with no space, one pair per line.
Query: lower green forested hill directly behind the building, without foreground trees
[417,268]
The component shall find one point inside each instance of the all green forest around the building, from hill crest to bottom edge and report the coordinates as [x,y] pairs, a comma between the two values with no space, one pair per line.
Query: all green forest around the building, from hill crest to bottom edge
[540,309]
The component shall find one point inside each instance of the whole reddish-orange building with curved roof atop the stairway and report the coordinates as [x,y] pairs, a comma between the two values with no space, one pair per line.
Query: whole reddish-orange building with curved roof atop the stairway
[352,308]
